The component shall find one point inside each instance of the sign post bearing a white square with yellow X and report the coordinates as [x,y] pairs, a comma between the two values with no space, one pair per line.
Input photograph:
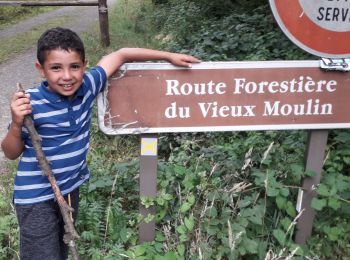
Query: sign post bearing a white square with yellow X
[148,183]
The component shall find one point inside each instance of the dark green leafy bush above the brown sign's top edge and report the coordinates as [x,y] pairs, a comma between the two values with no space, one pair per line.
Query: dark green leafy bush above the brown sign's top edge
[243,34]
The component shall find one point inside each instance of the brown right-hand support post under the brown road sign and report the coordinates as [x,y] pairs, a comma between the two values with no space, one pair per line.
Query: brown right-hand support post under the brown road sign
[315,154]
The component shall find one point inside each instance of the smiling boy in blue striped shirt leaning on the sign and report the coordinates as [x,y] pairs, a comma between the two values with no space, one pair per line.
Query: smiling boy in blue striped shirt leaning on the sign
[61,109]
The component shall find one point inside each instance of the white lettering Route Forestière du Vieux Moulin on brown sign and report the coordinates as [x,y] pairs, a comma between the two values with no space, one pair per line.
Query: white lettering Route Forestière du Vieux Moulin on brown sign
[242,86]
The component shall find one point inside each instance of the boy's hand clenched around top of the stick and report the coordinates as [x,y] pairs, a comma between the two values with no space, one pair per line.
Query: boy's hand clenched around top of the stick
[20,107]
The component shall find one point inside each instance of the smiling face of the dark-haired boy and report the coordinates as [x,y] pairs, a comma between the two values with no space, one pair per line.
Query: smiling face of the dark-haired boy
[63,71]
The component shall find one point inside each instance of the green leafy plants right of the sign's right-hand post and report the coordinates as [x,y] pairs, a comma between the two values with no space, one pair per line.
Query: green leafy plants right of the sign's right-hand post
[331,236]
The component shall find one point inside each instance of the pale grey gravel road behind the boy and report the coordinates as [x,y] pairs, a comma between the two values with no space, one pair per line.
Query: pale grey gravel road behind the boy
[22,69]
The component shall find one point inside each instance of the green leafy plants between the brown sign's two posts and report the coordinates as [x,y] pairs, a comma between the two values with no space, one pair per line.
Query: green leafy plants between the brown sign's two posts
[234,194]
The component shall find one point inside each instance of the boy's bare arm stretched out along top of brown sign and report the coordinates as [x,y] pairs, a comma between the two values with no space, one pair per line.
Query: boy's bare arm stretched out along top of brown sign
[112,62]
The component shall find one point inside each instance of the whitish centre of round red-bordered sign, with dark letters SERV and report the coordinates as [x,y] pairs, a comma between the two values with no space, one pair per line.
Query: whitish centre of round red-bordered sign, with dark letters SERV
[333,15]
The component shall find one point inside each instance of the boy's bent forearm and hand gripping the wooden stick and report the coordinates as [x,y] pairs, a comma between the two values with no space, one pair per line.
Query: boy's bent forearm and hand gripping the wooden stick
[13,145]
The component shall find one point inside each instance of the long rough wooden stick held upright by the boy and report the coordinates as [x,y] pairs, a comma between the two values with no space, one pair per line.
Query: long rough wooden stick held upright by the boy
[70,233]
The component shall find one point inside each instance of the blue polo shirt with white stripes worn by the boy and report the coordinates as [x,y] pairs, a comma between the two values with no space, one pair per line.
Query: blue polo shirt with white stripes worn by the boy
[64,127]
